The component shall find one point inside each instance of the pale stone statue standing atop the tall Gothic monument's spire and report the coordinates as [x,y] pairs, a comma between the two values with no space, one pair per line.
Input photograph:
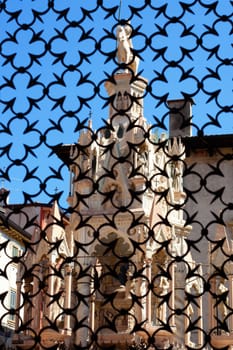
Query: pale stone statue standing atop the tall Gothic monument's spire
[124,48]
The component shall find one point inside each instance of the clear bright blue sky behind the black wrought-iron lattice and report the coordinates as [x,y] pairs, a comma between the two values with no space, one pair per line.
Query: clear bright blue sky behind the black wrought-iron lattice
[205,35]
